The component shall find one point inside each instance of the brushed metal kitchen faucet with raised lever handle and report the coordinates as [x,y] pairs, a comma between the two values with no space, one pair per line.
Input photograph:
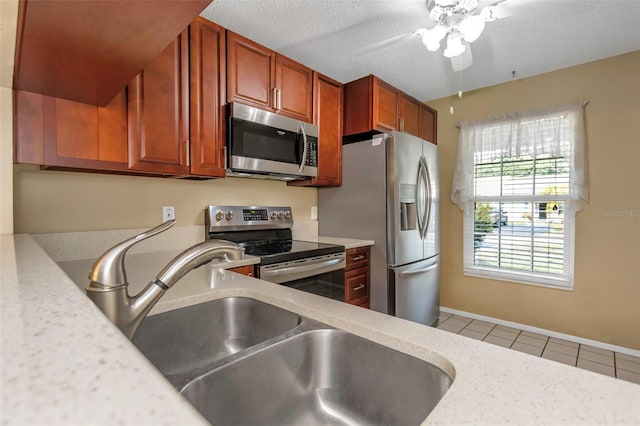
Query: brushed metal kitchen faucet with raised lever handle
[108,287]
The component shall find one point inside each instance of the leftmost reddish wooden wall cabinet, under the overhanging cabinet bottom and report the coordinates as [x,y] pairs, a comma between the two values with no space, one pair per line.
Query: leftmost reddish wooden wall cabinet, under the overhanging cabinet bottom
[57,132]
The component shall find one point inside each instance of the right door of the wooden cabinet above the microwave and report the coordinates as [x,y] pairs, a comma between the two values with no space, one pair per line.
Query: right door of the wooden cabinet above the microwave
[294,85]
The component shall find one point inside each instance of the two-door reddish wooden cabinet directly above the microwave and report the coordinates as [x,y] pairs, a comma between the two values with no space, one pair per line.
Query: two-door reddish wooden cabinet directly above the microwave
[260,77]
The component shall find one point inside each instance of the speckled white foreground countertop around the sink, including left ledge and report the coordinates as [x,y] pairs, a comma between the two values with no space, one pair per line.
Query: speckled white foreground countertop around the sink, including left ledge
[63,362]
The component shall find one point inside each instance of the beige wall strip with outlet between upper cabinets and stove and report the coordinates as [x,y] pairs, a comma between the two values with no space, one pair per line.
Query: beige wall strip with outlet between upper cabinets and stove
[58,201]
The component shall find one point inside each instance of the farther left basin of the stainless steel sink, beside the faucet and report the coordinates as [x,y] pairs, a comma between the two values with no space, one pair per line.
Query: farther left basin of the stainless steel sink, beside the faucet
[187,342]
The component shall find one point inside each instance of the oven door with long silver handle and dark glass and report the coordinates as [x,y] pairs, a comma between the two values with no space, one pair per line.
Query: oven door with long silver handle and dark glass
[322,275]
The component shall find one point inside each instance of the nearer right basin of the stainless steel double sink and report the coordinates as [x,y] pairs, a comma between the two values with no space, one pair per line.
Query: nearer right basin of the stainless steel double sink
[316,378]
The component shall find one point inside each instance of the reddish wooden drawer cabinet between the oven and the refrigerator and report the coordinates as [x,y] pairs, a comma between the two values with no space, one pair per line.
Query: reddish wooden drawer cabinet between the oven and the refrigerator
[357,277]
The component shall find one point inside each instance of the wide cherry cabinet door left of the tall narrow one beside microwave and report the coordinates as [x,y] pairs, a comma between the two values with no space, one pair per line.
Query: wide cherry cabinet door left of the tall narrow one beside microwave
[159,112]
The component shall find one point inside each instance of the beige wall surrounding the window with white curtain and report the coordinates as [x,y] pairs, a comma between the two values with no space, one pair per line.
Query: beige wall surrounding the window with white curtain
[605,302]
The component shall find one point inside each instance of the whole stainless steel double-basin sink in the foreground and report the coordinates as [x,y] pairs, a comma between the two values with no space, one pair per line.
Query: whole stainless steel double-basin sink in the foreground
[240,361]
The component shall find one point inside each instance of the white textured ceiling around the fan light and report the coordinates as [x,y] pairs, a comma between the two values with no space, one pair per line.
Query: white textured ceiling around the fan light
[330,35]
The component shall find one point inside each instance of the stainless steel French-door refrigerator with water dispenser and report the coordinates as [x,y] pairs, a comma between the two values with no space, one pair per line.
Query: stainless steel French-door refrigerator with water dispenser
[390,194]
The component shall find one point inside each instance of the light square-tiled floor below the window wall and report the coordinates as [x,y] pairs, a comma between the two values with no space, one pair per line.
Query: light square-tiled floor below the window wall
[614,364]
